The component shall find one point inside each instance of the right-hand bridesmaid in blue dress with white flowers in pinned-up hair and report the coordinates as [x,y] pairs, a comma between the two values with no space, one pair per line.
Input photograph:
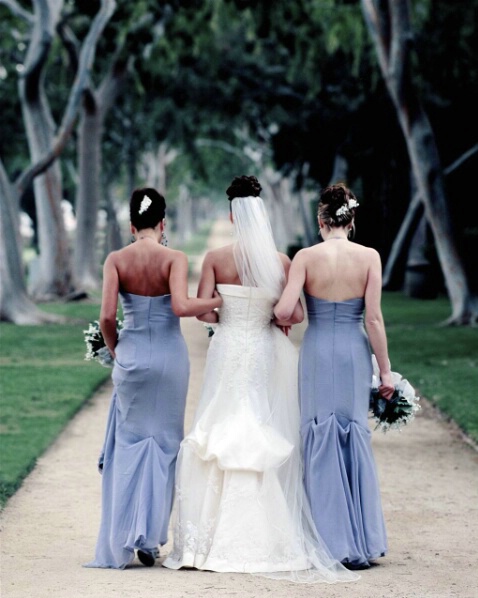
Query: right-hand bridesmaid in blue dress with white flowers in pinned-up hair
[340,279]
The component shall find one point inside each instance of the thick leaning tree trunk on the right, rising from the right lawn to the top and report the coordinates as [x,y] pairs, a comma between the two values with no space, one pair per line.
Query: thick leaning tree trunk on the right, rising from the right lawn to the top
[389,24]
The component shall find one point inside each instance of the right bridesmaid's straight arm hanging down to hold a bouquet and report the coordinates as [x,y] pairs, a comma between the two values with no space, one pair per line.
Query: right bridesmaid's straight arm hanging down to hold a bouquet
[375,325]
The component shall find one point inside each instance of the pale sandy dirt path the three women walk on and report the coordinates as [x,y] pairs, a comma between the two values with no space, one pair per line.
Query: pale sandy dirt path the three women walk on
[429,481]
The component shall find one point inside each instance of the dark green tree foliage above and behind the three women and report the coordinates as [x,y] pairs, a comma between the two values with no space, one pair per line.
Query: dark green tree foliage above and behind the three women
[299,79]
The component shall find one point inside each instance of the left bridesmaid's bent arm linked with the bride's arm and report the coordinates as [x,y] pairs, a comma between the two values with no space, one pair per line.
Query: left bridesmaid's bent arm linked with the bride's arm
[182,304]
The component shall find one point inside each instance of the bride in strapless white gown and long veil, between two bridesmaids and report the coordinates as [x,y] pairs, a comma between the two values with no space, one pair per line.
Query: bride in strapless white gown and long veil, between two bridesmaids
[240,504]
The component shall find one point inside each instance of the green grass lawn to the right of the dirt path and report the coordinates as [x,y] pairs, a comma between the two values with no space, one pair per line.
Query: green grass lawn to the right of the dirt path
[441,362]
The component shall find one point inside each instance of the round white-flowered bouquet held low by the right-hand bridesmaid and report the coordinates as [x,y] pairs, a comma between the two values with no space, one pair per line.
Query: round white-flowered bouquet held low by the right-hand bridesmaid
[397,411]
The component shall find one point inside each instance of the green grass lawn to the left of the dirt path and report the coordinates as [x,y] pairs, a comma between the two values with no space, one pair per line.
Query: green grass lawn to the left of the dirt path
[44,381]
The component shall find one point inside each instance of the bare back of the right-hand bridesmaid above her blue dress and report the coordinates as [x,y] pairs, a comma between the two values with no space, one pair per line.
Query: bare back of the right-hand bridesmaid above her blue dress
[337,270]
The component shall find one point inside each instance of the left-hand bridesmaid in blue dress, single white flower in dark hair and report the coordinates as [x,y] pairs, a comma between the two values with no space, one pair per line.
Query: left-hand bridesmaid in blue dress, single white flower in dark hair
[150,377]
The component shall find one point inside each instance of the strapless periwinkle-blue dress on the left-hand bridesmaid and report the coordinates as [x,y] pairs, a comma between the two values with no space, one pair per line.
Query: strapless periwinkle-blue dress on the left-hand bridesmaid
[144,430]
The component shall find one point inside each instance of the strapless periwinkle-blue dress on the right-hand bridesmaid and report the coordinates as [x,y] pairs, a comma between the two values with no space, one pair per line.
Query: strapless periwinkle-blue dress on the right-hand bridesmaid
[335,373]
